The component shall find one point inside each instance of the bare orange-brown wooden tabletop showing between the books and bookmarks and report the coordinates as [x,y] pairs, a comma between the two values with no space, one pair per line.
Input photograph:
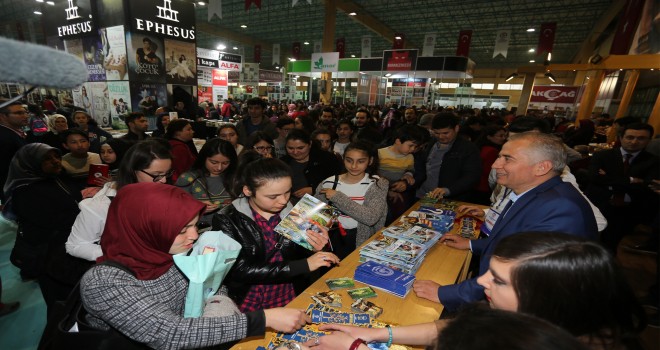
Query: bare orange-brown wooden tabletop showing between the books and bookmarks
[442,264]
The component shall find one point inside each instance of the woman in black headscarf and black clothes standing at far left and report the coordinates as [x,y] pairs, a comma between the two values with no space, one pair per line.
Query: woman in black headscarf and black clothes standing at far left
[34,178]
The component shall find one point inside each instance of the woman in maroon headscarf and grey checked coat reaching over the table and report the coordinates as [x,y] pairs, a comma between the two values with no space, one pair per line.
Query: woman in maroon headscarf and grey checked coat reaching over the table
[147,224]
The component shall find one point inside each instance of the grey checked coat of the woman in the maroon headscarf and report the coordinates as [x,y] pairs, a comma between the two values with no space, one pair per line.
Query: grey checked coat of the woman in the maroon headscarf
[151,311]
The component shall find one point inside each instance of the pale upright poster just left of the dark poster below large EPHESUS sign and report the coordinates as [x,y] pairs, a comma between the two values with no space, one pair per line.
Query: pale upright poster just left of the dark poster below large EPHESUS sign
[114,44]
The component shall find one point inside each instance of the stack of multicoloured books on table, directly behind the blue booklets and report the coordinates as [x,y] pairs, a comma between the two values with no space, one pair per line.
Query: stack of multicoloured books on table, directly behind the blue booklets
[399,254]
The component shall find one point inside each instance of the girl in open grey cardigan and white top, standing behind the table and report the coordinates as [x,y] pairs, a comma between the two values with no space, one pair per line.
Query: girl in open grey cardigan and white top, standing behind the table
[359,194]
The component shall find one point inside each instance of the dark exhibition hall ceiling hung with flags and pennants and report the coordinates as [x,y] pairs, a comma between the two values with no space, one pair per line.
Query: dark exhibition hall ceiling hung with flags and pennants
[581,25]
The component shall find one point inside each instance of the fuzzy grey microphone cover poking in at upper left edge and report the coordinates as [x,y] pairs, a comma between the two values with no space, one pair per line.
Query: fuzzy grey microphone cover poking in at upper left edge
[40,65]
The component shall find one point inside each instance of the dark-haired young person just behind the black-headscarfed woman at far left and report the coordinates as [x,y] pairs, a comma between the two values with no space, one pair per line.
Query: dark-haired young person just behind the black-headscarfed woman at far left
[77,161]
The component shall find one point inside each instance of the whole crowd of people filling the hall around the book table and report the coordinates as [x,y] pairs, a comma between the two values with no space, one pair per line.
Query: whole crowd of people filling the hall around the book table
[546,252]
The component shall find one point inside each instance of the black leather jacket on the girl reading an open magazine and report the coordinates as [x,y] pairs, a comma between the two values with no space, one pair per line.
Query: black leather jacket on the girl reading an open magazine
[252,266]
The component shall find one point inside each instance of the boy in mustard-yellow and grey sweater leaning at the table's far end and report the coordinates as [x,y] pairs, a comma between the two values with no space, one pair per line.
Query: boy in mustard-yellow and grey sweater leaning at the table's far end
[397,165]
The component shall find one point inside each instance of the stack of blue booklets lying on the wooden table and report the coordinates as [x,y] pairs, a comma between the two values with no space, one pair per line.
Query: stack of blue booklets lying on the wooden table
[384,278]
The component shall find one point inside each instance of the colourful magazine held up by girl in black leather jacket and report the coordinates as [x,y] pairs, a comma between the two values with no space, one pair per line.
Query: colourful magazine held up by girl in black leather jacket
[309,209]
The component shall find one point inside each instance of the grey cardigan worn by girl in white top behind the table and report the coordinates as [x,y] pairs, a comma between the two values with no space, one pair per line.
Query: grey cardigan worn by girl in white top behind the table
[370,215]
